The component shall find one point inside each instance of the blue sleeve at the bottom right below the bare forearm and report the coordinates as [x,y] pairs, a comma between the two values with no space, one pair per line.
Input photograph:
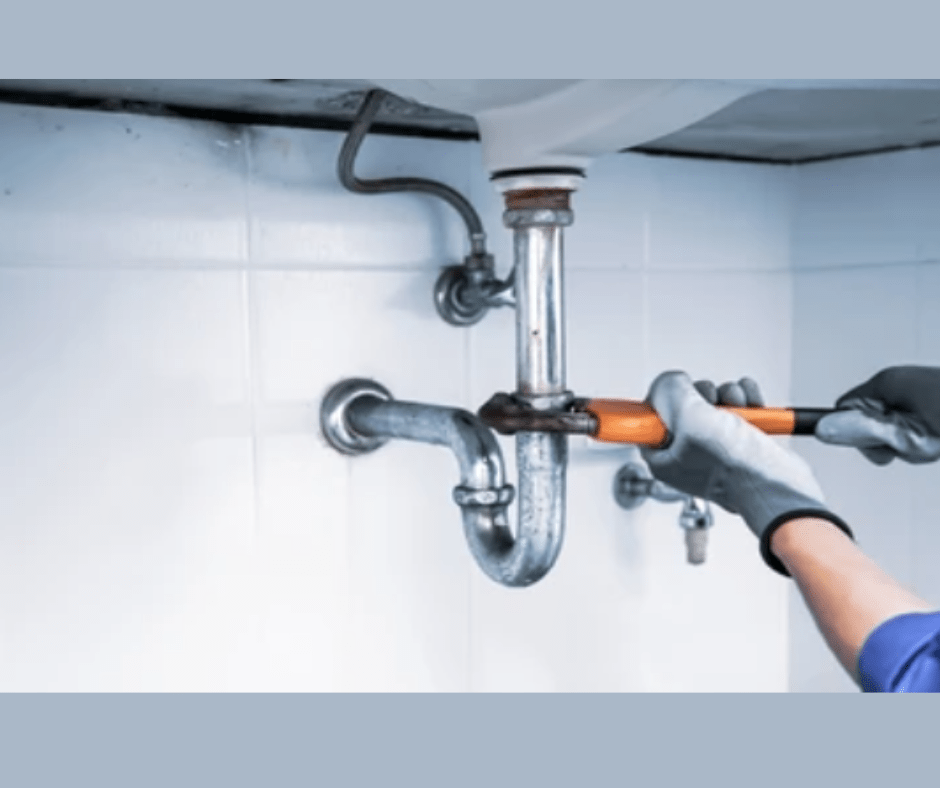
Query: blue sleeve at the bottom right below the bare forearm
[902,655]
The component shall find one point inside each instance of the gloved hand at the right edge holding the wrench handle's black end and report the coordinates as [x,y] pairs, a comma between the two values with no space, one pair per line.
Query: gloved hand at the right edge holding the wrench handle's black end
[895,414]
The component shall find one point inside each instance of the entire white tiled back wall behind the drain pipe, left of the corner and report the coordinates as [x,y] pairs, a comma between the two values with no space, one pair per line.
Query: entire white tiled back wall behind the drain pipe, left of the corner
[173,520]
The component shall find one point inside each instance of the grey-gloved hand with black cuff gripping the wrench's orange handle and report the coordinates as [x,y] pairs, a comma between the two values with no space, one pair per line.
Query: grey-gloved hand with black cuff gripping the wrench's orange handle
[719,456]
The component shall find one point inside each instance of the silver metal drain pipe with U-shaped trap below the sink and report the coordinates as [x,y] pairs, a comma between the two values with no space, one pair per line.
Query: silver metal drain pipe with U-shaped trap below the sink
[359,416]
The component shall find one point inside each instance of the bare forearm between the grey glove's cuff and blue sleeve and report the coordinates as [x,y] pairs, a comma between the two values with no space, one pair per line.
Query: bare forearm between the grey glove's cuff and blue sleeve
[847,593]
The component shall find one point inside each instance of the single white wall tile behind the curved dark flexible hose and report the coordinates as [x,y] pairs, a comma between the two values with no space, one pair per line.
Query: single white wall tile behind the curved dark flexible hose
[301,215]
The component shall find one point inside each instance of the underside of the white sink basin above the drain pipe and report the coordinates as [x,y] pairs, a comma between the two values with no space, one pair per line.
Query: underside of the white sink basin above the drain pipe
[565,123]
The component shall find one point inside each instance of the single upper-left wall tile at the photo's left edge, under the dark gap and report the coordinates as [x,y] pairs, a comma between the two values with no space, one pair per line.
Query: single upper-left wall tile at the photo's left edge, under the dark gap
[120,190]
